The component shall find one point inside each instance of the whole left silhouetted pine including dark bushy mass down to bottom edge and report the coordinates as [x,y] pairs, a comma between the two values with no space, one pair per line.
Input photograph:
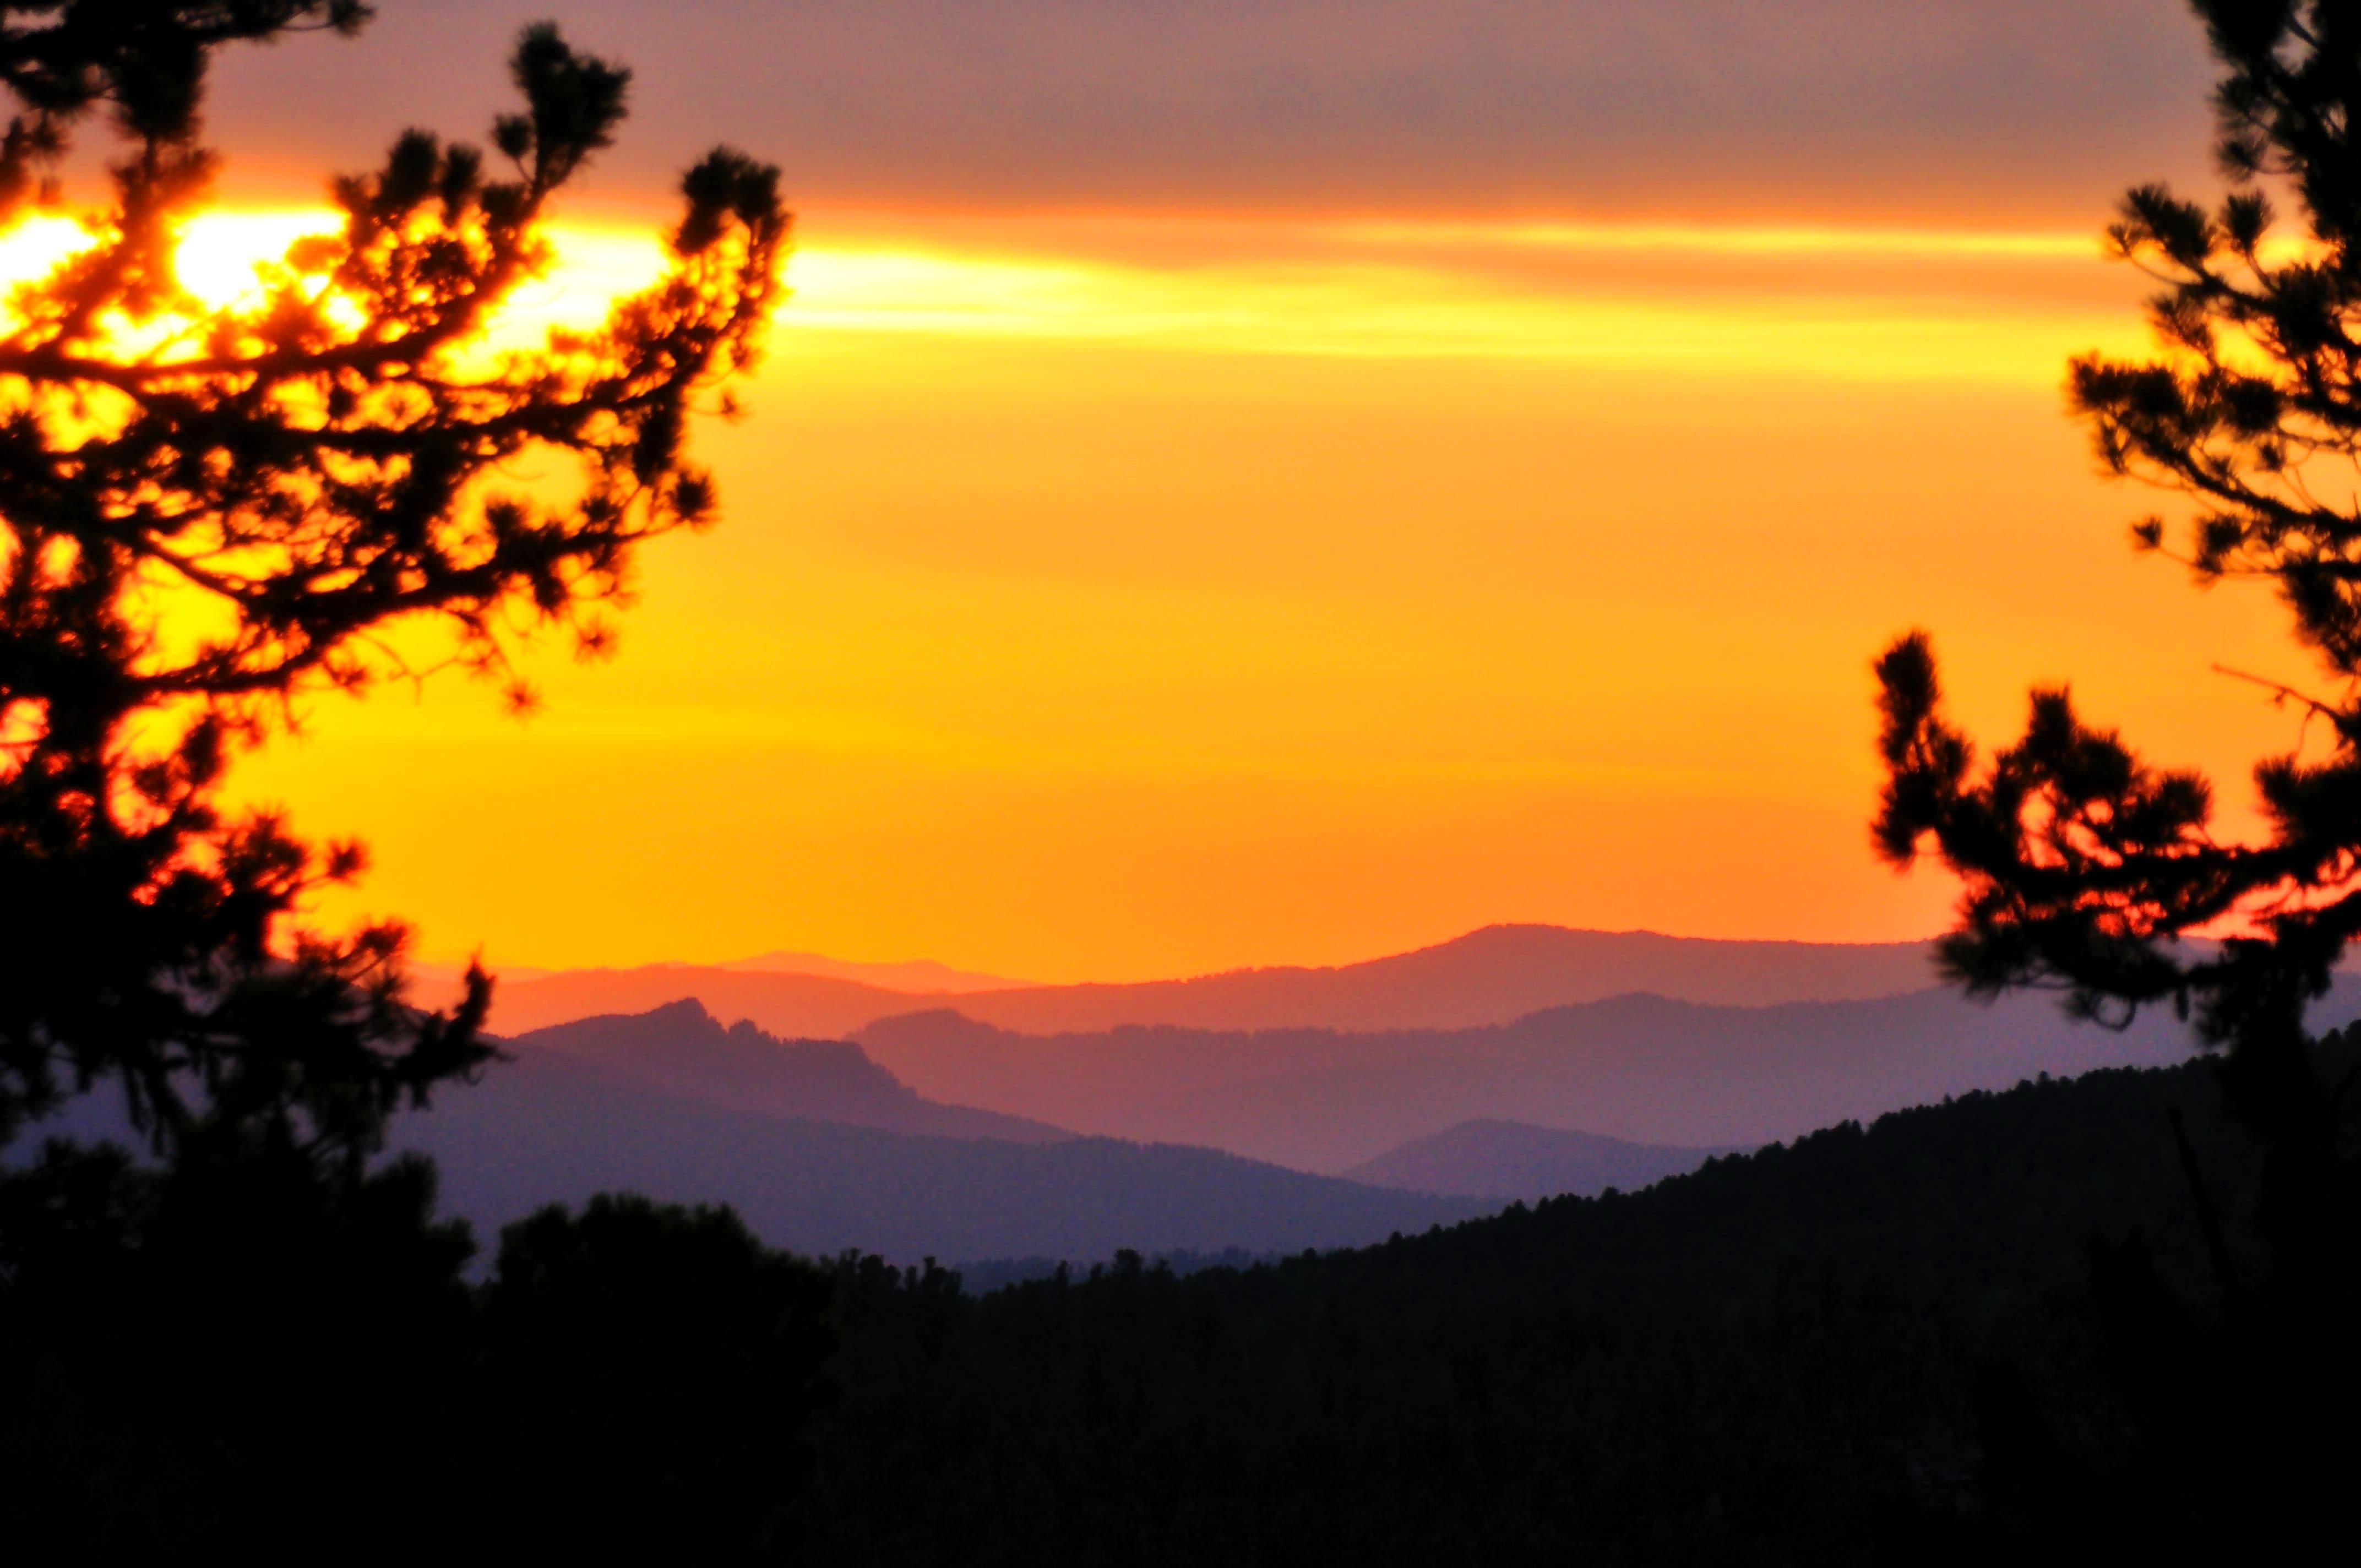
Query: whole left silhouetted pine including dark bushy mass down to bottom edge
[249,1338]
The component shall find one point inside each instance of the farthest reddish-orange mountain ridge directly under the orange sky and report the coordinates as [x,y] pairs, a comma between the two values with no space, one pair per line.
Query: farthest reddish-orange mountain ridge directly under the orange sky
[1484,979]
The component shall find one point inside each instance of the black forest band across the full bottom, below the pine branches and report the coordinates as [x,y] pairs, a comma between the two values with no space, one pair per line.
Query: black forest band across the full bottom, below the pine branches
[1987,1326]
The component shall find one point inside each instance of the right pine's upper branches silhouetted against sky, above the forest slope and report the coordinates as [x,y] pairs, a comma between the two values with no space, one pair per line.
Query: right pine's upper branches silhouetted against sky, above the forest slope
[2086,865]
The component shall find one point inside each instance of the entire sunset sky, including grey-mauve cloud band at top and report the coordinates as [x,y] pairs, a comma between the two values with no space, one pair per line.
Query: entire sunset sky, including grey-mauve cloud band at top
[1297,481]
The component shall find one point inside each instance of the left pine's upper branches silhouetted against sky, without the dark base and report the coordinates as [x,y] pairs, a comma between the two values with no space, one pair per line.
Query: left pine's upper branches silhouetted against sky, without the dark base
[211,514]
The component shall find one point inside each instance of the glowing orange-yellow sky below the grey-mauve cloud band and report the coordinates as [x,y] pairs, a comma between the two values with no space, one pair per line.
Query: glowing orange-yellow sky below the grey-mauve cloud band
[1118,592]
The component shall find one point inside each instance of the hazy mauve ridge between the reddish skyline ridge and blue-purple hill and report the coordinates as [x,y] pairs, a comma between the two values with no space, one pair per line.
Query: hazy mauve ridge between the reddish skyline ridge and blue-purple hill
[1637,1069]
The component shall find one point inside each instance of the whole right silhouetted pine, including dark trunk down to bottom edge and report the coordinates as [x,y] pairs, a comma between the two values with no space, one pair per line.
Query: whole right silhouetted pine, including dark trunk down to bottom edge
[2091,870]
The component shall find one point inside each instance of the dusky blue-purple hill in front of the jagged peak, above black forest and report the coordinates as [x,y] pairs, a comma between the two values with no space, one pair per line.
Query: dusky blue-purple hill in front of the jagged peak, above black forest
[556,1128]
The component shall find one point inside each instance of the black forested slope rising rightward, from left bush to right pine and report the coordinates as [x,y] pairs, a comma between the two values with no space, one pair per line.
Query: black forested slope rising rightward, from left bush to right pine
[1914,1342]
